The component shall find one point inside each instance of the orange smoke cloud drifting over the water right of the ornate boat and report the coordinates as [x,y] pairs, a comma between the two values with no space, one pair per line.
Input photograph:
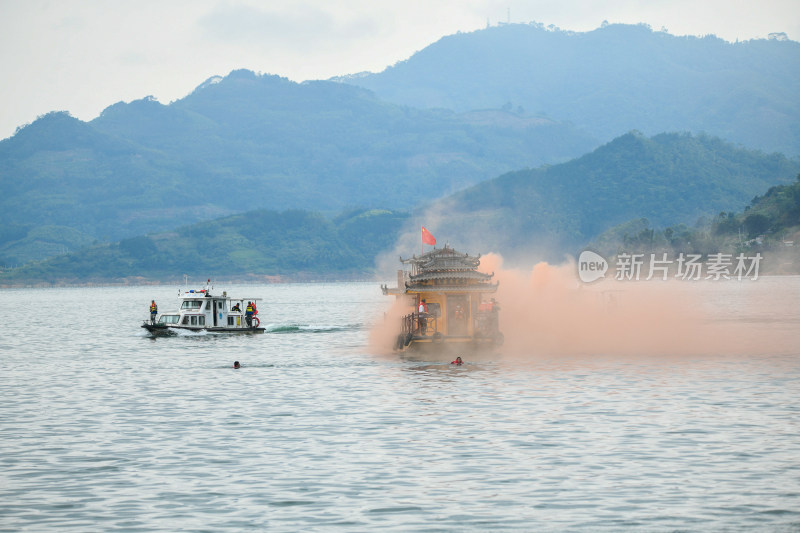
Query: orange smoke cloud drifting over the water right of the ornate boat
[548,311]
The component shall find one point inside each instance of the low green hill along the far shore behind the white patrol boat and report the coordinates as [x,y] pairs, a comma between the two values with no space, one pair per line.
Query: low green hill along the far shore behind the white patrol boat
[293,245]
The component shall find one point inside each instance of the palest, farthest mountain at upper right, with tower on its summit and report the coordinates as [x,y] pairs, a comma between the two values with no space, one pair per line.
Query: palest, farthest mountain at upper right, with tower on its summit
[609,81]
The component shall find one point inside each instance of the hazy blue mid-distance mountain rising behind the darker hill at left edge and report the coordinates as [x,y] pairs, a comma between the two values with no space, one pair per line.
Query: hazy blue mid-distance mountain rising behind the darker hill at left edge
[261,141]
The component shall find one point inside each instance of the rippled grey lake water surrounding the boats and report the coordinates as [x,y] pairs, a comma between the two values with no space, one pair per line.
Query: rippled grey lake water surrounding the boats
[103,428]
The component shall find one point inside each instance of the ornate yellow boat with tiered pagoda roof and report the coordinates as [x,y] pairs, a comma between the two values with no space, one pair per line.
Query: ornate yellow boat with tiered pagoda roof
[453,307]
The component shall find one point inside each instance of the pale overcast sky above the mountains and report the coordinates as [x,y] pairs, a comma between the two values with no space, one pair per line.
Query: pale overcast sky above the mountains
[83,55]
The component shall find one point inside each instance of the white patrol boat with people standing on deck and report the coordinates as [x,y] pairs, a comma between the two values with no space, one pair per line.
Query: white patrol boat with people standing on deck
[200,310]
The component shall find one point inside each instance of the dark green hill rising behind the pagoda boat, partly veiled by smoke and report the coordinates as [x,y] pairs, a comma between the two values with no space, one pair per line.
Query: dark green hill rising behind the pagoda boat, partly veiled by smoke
[669,179]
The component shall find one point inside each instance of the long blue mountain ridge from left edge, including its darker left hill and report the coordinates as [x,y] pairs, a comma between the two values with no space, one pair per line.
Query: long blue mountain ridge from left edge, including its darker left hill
[249,141]
